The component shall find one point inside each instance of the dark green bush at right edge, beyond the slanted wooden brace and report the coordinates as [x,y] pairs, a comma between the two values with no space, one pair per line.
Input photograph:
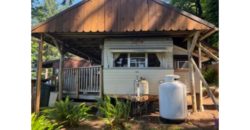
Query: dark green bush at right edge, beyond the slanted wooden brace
[211,76]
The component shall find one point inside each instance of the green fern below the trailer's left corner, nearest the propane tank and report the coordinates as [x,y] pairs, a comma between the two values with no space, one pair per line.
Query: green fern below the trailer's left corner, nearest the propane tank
[114,114]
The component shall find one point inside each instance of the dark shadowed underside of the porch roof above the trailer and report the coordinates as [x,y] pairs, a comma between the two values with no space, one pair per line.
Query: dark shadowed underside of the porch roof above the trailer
[87,45]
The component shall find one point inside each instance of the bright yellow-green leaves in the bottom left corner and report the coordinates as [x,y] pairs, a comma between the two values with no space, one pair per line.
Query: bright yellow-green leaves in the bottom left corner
[41,123]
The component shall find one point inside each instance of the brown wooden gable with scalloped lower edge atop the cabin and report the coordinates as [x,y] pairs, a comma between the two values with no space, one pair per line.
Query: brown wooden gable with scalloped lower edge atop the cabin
[122,16]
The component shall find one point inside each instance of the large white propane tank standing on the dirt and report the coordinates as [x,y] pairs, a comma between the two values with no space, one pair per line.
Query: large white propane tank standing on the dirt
[172,98]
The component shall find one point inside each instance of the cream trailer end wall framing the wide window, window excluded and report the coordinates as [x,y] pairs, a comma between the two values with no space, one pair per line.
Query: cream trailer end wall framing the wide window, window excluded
[121,80]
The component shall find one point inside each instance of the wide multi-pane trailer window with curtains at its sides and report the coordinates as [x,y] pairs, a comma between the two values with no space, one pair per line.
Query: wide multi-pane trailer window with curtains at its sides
[136,60]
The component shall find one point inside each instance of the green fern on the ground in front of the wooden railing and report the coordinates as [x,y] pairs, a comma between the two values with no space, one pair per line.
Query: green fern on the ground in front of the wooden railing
[67,113]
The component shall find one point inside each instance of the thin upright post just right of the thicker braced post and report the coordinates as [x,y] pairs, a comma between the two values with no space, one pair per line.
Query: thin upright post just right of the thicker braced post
[201,92]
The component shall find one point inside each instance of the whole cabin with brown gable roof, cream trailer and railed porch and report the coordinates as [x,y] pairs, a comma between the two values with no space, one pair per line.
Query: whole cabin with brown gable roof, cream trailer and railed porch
[128,41]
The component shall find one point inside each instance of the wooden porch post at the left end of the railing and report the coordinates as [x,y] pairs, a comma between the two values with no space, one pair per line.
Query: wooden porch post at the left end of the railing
[61,75]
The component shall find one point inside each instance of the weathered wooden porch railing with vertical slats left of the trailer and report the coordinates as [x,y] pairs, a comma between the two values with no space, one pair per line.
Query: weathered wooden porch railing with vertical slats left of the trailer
[82,80]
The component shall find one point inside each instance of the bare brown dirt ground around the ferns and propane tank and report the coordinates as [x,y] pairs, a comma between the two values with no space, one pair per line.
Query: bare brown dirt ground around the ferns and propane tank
[205,120]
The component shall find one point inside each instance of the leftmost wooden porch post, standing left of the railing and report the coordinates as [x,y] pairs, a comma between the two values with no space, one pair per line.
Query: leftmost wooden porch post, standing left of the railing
[39,72]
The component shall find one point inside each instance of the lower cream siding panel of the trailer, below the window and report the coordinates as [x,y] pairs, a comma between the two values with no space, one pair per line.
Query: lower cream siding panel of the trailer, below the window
[121,81]
